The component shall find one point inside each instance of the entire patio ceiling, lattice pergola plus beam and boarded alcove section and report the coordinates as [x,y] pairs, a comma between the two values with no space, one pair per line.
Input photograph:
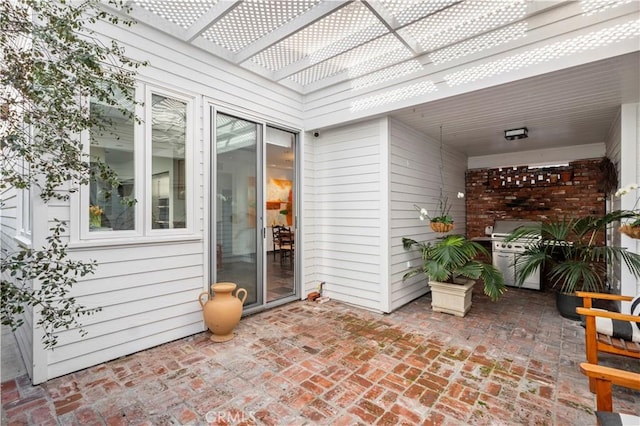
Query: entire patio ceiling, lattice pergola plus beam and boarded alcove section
[363,53]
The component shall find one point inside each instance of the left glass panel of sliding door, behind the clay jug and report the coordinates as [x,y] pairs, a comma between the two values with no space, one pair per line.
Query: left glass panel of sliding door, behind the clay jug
[236,215]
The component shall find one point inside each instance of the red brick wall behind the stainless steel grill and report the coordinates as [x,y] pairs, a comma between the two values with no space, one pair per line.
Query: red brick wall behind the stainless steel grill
[548,196]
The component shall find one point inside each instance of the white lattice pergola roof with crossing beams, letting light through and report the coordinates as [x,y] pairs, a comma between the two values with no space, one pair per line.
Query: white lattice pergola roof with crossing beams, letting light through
[311,44]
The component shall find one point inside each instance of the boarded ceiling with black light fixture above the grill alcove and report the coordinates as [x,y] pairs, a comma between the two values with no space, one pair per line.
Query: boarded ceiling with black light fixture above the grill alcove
[570,107]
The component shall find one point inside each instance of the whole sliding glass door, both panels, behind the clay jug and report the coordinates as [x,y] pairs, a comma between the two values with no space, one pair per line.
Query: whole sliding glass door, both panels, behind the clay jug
[254,225]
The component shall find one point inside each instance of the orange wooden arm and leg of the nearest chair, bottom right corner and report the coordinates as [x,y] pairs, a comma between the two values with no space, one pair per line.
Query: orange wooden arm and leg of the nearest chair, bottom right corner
[604,378]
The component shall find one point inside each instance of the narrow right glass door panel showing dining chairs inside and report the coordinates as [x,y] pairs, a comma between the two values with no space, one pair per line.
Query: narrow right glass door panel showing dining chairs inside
[279,218]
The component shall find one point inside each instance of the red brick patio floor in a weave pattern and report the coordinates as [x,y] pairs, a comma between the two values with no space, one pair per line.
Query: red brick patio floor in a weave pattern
[507,363]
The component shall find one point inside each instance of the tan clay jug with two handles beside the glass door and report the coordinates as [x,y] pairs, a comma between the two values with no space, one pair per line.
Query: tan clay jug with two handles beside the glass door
[222,312]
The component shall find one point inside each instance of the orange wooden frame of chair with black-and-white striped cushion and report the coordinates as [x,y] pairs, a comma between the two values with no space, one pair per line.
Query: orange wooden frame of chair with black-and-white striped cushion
[597,342]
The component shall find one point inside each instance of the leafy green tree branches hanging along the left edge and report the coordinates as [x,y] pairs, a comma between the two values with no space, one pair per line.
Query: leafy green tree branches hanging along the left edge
[43,85]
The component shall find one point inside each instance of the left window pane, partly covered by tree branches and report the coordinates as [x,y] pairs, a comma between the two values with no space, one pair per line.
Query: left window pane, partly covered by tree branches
[113,209]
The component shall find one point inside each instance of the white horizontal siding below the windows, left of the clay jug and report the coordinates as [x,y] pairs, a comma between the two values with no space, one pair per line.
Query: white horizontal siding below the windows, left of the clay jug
[148,295]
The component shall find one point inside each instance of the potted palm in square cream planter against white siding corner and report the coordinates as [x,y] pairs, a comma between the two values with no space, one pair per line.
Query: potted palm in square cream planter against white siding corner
[453,264]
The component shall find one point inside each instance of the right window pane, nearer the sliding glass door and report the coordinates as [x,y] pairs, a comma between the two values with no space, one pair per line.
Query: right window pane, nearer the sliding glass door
[168,175]
